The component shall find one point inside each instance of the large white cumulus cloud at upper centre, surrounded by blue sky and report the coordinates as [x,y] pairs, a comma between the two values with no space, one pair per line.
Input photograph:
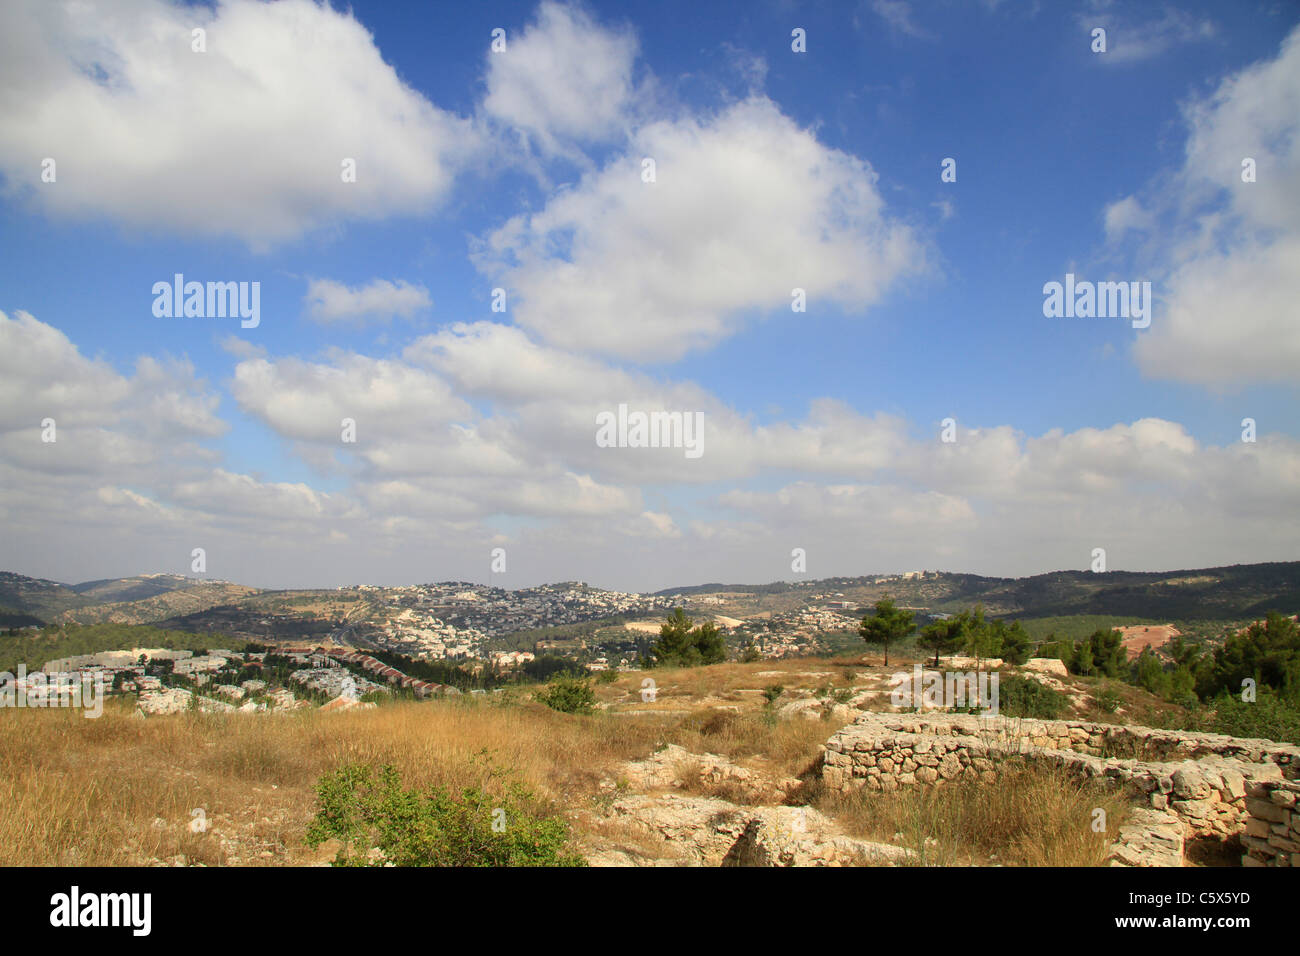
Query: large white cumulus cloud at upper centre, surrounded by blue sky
[747,207]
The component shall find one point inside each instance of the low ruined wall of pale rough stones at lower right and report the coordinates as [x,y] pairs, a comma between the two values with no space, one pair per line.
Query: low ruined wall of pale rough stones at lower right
[1186,788]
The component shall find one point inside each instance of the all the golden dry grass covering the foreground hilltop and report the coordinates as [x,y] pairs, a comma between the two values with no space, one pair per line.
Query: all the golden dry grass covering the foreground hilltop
[122,790]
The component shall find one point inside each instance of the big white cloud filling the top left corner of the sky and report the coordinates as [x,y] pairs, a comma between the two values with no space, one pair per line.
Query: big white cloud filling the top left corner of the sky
[246,140]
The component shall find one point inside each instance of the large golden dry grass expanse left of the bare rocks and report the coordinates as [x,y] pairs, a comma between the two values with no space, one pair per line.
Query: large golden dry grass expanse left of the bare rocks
[120,790]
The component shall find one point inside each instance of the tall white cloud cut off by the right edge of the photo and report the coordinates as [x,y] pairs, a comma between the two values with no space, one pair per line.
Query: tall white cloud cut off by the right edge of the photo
[1230,250]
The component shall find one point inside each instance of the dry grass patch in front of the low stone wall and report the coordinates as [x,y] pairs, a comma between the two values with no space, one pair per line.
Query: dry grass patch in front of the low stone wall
[1033,817]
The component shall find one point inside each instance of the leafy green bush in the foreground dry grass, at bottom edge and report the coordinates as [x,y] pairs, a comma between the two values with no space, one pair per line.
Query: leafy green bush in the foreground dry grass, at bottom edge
[432,829]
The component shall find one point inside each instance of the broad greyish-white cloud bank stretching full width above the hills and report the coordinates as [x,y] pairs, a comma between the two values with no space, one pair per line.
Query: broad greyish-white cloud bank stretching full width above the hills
[453,448]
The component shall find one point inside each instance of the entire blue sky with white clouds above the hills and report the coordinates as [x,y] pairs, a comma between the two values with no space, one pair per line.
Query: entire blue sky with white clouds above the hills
[825,232]
